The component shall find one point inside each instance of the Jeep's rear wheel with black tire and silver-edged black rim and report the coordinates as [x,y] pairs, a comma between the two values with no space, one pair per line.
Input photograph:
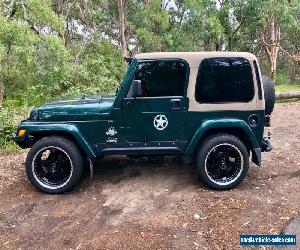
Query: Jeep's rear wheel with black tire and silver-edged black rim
[222,161]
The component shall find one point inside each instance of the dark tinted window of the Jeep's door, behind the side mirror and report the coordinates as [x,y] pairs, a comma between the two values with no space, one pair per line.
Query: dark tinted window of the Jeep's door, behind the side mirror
[162,78]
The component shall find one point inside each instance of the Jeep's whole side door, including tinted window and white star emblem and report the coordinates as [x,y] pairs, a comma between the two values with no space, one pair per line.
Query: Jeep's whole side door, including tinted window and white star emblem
[159,114]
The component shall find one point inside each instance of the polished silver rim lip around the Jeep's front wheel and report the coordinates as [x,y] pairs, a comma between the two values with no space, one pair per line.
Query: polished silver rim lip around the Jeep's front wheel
[38,179]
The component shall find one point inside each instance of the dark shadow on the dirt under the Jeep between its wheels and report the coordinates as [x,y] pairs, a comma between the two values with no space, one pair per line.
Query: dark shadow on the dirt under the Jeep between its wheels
[168,169]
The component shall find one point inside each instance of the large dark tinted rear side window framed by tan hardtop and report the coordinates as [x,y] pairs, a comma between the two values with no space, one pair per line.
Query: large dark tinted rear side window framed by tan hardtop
[224,80]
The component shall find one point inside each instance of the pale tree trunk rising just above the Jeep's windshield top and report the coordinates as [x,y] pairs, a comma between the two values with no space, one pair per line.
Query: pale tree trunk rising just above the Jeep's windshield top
[122,26]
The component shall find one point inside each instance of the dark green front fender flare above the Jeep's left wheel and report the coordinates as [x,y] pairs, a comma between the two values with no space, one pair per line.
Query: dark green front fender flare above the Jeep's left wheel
[36,128]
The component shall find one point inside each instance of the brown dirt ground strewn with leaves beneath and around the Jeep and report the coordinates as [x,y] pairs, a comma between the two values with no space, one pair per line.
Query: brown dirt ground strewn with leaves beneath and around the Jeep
[154,204]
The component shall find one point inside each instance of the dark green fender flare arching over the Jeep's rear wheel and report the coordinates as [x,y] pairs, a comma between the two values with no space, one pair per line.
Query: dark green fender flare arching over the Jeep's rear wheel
[219,124]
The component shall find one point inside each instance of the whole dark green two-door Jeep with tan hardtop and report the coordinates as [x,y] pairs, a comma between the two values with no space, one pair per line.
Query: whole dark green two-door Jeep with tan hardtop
[209,106]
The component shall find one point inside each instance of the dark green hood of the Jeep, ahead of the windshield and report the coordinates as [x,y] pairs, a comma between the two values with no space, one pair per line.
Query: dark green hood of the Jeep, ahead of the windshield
[82,108]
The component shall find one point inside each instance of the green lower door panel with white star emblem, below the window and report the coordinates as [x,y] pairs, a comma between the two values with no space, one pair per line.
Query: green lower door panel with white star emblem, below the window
[139,118]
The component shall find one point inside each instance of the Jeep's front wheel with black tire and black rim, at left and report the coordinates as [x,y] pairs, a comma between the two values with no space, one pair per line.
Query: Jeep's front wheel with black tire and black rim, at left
[54,165]
